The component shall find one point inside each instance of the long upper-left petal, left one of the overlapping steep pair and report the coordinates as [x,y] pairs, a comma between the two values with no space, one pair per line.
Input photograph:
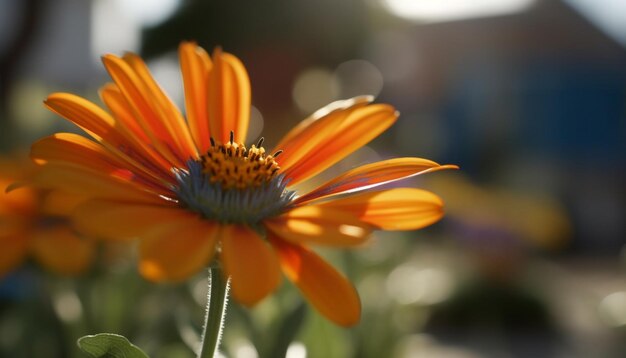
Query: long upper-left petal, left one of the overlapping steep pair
[138,97]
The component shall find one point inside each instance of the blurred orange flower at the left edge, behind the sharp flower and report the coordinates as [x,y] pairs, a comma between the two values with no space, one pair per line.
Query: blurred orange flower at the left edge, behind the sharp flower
[34,223]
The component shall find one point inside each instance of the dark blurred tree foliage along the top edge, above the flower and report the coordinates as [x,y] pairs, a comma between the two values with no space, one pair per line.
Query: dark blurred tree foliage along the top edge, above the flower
[324,30]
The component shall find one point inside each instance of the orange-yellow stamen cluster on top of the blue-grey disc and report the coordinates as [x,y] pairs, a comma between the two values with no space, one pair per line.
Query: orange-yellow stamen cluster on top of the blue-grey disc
[234,166]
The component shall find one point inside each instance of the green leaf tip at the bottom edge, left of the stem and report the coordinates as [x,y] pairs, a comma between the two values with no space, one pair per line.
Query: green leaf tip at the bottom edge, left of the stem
[109,345]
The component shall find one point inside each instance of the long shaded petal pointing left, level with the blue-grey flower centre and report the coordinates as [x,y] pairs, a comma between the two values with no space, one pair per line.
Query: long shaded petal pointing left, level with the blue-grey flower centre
[86,182]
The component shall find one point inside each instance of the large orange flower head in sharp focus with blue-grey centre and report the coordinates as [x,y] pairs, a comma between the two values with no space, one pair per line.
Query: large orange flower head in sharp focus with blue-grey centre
[191,190]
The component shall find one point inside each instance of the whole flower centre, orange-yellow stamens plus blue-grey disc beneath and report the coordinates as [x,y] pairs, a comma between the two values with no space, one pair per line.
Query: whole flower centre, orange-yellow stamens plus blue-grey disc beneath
[233,184]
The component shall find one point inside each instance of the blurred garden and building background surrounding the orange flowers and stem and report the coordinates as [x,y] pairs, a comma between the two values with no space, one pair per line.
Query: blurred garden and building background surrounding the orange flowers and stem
[526,96]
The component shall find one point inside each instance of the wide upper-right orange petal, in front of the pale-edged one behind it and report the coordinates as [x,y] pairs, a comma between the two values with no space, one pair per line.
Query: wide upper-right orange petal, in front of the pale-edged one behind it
[333,137]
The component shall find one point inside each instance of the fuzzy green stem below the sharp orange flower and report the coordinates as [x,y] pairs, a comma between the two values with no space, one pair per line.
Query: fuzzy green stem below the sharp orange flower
[215,313]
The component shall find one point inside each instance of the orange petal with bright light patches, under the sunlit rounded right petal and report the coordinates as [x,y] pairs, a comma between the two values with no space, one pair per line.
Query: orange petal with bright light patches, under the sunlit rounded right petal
[322,226]
